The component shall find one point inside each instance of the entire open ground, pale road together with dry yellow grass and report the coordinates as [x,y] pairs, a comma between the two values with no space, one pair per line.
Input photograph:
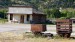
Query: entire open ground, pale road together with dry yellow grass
[17,33]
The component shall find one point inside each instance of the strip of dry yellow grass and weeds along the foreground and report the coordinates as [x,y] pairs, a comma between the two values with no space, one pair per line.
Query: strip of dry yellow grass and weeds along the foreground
[26,37]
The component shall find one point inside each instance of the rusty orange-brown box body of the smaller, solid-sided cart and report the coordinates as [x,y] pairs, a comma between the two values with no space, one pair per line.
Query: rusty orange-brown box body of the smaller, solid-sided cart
[38,27]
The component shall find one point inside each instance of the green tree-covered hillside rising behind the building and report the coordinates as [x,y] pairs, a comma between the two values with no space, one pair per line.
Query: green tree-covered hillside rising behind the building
[49,7]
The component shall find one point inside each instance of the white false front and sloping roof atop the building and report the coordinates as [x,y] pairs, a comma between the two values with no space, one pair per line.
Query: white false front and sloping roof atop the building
[23,10]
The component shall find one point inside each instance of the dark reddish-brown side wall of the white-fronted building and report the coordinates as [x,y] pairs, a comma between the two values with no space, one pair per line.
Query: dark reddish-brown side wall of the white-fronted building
[39,18]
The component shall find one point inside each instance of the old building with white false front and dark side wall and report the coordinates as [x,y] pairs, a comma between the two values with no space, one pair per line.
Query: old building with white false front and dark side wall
[25,14]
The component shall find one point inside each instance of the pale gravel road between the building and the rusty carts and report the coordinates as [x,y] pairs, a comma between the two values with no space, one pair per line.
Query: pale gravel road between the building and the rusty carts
[27,28]
